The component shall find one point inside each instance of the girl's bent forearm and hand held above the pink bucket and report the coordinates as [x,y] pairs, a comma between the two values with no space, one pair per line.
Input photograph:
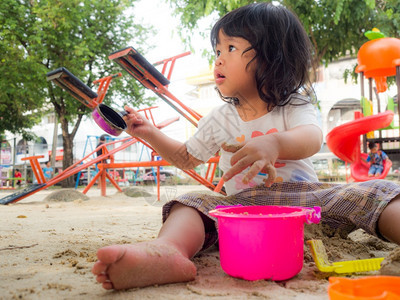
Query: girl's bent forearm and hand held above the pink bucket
[261,153]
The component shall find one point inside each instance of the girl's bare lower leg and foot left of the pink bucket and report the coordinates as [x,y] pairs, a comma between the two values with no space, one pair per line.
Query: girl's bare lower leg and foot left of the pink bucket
[163,260]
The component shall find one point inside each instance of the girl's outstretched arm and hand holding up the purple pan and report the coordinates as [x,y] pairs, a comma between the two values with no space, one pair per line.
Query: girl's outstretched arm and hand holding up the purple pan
[169,149]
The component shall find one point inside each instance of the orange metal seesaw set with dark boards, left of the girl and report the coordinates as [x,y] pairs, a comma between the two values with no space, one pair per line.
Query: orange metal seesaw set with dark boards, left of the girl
[138,67]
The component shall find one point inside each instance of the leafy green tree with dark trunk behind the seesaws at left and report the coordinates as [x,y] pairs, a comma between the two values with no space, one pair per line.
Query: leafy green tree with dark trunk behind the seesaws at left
[39,36]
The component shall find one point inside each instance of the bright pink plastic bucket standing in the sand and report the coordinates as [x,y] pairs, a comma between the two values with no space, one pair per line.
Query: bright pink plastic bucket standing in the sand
[263,242]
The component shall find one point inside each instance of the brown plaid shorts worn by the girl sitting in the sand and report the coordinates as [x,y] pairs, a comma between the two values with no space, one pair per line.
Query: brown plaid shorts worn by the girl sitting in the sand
[345,207]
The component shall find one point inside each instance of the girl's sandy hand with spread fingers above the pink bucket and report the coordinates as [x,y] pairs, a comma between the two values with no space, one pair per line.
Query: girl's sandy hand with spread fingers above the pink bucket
[260,153]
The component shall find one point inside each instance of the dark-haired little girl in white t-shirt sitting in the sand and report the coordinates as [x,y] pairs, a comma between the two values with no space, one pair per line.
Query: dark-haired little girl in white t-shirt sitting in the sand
[265,133]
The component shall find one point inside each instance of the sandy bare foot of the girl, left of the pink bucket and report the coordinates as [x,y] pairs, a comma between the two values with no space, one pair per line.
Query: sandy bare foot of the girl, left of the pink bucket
[143,264]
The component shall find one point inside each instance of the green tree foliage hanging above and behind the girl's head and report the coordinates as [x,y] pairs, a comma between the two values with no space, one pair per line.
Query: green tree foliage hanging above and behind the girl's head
[336,28]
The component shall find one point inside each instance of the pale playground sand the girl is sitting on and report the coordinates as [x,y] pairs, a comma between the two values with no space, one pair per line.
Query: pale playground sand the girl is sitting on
[48,247]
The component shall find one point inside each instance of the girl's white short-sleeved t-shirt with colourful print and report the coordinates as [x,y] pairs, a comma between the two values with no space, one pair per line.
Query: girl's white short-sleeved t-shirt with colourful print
[224,124]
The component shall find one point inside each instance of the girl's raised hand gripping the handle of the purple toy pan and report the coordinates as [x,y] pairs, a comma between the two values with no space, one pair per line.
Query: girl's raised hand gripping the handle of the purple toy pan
[137,125]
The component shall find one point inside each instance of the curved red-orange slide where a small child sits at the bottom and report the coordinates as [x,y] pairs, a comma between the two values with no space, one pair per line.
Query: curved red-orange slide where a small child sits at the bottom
[344,142]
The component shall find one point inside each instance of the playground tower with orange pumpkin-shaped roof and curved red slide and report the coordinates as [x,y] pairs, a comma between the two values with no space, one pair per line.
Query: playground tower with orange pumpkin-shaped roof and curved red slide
[377,59]
